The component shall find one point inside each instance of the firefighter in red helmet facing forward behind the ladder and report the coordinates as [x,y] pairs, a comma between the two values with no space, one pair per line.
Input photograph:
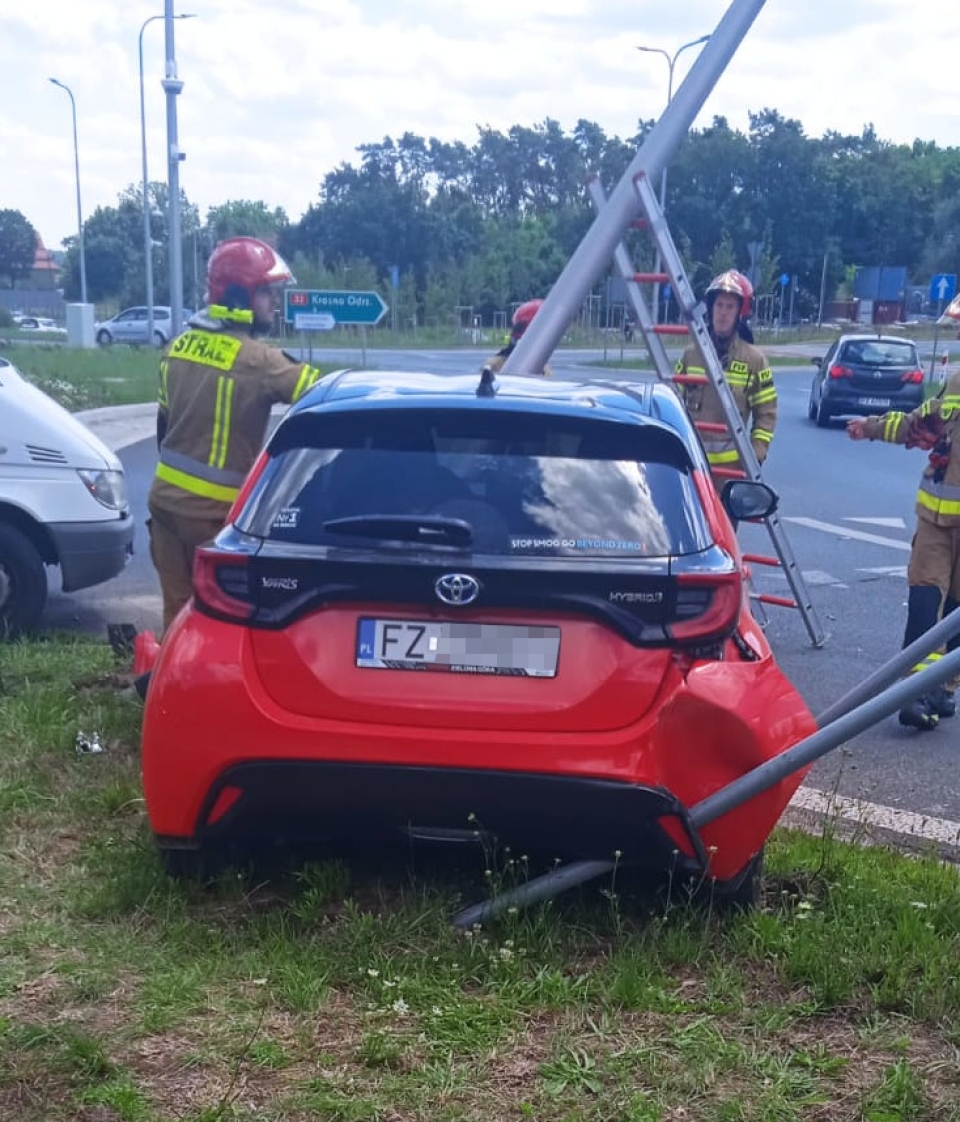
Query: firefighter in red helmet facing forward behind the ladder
[745,371]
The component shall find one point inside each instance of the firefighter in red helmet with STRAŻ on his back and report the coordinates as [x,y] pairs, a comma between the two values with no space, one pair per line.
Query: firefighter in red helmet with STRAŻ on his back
[218,383]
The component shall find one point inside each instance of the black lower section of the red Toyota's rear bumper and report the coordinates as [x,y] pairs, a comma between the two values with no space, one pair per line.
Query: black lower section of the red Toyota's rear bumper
[552,816]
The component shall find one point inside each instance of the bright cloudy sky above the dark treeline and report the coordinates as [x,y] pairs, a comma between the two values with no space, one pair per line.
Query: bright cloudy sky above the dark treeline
[279,93]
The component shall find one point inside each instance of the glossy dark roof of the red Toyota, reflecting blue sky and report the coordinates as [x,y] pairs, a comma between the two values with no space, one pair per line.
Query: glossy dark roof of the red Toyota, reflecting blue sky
[622,402]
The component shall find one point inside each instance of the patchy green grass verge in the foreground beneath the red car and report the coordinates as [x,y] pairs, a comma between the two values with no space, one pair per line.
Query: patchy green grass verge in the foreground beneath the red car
[341,992]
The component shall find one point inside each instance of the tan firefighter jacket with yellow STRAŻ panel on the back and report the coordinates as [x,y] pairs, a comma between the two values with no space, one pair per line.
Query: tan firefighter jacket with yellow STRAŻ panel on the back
[217,388]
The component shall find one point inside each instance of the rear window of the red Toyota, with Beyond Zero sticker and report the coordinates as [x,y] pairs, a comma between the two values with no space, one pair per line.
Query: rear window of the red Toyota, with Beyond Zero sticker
[528,485]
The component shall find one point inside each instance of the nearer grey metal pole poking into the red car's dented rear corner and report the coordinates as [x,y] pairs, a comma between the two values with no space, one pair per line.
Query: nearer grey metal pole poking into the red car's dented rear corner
[841,730]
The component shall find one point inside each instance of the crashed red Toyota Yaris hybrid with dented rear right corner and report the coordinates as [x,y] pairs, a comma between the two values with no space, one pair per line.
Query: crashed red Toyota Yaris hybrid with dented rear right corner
[450,605]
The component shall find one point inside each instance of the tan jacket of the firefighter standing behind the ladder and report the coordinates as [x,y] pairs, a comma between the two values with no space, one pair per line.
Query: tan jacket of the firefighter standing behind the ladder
[752,384]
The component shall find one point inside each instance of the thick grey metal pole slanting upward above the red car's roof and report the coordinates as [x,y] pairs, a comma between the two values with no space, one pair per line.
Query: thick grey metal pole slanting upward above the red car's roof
[596,251]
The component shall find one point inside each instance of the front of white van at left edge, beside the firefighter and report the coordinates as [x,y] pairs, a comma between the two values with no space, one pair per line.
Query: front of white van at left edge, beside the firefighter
[63,502]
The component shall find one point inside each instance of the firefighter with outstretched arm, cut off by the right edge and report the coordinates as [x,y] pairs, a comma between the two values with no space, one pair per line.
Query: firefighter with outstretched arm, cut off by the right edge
[934,571]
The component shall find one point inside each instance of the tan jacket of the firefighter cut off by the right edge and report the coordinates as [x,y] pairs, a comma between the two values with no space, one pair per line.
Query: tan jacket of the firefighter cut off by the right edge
[936,428]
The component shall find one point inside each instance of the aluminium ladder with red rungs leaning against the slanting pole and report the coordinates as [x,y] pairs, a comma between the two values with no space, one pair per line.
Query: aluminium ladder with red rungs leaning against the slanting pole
[695,326]
